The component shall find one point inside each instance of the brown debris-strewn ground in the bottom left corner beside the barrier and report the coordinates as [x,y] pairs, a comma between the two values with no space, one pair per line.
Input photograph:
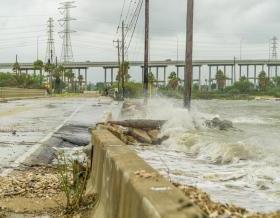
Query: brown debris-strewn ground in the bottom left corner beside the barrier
[33,192]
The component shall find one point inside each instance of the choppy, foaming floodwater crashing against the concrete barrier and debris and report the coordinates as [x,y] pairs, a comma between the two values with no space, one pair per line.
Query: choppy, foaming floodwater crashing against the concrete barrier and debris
[239,166]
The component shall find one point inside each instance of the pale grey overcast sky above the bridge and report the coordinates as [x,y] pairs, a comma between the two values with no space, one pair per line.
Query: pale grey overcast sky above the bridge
[221,28]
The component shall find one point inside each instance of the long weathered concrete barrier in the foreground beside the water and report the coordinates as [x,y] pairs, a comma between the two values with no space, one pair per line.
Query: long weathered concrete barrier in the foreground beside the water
[123,194]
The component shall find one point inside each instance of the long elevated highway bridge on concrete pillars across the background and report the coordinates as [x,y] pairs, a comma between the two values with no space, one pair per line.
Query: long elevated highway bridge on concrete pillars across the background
[233,74]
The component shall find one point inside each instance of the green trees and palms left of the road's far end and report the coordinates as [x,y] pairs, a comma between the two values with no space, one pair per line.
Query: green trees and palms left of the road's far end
[54,78]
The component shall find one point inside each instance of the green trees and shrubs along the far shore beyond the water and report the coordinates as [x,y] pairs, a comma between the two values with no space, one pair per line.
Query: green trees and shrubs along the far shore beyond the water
[240,90]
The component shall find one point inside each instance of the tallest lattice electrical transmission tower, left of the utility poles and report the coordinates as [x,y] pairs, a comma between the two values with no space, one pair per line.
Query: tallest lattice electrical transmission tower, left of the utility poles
[67,52]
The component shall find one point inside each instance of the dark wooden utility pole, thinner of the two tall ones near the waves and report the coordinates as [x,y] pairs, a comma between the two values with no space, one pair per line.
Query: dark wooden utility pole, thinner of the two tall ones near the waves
[146,53]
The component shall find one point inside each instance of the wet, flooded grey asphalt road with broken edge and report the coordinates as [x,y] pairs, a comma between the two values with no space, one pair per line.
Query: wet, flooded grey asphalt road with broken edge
[27,126]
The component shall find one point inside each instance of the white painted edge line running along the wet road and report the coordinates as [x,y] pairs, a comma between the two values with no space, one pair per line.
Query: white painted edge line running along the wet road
[34,148]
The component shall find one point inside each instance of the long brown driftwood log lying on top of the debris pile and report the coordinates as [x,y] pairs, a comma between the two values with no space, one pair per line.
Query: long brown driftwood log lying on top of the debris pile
[140,124]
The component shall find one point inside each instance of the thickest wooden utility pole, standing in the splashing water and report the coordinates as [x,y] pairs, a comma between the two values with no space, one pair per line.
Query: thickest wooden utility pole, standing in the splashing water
[189,48]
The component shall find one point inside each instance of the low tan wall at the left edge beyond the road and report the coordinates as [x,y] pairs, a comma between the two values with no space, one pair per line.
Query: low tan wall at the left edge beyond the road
[6,92]
